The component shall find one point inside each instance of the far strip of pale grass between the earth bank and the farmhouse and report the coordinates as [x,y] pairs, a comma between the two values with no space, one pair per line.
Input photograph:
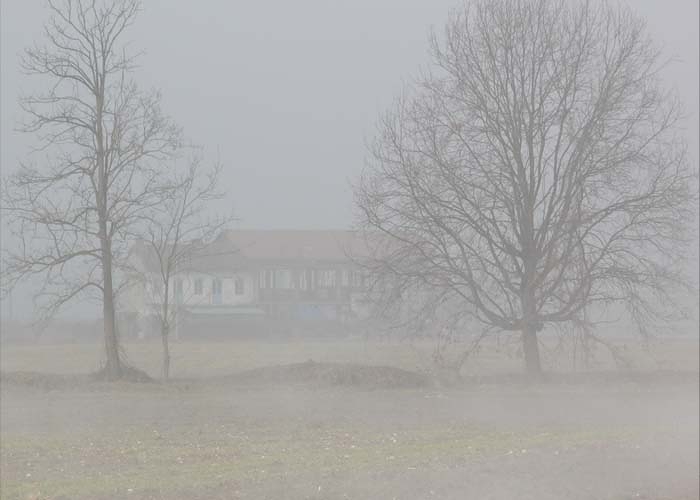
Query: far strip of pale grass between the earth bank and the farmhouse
[210,358]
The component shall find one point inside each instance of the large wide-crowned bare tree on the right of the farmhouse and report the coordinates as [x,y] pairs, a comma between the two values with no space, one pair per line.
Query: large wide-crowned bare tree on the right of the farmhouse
[534,171]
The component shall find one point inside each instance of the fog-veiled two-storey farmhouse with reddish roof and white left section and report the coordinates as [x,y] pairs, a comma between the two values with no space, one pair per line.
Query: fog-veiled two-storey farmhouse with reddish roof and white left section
[280,274]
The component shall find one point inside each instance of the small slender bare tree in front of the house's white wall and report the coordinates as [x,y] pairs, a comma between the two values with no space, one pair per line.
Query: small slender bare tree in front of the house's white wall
[179,231]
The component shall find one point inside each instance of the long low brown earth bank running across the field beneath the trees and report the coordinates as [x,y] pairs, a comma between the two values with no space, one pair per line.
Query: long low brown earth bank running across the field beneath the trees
[313,374]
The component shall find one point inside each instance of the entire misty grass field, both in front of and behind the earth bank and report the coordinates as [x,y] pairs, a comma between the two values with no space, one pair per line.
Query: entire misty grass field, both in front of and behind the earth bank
[206,440]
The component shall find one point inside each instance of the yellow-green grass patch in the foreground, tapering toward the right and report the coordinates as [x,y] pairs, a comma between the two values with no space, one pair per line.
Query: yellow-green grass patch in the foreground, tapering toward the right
[140,461]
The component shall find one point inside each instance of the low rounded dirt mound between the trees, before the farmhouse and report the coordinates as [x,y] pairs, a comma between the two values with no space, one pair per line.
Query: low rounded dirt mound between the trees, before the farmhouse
[333,374]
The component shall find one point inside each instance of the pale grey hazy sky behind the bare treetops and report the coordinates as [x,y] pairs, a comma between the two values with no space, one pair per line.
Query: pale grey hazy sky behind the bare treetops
[288,92]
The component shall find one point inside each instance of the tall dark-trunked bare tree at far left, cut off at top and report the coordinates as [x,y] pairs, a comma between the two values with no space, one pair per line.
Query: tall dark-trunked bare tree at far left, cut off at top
[103,141]
